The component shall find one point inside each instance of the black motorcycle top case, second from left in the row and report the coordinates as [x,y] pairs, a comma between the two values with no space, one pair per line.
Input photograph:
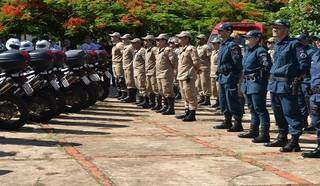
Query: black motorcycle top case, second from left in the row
[41,60]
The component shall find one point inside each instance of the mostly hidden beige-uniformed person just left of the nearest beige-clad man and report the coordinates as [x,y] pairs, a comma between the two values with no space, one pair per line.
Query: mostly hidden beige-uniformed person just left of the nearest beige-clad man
[175,46]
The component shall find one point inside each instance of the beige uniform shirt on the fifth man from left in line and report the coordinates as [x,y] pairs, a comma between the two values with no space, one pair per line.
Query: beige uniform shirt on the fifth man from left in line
[165,62]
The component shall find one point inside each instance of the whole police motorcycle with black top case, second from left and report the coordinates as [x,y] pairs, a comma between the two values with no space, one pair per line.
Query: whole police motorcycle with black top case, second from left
[45,102]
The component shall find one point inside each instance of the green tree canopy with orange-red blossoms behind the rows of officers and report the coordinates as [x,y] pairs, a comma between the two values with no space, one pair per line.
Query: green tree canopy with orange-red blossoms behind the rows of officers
[76,18]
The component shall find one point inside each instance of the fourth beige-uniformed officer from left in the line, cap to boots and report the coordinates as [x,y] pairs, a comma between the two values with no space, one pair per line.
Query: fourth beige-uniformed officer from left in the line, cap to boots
[150,64]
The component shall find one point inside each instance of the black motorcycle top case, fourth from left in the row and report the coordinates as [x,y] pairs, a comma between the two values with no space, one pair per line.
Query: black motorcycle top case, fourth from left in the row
[76,58]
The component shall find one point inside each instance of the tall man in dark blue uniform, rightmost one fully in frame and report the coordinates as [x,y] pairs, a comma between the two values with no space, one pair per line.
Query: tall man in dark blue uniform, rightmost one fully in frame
[290,65]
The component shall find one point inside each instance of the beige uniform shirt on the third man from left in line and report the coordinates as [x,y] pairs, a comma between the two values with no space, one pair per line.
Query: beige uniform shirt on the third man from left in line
[139,62]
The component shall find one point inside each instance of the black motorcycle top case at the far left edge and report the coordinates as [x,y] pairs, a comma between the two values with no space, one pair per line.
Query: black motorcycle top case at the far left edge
[13,61]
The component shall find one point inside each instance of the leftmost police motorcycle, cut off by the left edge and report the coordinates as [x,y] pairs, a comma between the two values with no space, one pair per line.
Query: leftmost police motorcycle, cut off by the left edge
[13,87]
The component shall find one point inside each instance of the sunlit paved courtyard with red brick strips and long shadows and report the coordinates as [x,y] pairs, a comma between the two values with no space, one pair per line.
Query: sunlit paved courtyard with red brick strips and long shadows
[114,143]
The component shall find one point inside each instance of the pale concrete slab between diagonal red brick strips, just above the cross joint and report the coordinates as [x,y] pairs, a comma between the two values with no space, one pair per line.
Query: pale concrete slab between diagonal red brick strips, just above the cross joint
[139,146]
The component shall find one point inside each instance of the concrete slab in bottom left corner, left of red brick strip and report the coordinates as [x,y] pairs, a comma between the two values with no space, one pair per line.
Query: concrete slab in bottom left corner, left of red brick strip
[44,172]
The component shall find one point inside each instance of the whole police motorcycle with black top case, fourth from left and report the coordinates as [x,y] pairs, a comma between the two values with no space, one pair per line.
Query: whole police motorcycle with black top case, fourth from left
[82,90]
